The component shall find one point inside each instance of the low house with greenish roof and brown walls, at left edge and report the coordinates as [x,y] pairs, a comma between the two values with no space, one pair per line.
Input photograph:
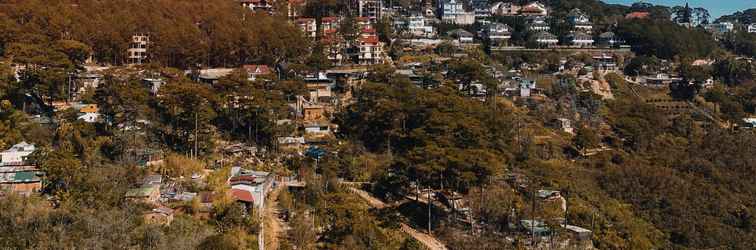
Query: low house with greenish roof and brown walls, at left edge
[20,180]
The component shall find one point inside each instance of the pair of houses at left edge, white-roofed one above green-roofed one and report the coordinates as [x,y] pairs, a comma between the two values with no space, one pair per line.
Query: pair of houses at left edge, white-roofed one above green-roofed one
[17,175]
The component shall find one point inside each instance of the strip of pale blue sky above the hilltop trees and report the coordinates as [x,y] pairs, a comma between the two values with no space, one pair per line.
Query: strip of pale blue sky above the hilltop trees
[716,8]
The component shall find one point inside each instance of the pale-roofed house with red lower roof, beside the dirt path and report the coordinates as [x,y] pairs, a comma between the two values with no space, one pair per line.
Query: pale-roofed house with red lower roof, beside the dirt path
[250,187]
